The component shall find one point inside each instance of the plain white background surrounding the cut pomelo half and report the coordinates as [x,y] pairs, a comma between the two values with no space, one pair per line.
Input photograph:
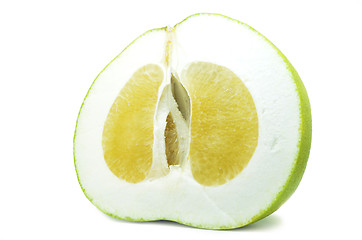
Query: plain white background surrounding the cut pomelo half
[50,52]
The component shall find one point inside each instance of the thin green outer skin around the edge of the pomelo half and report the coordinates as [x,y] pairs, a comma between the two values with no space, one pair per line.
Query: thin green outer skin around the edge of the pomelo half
[300,162]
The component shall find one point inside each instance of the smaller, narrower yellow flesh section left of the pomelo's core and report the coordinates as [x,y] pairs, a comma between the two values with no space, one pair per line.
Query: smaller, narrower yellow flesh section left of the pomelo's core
[128,131]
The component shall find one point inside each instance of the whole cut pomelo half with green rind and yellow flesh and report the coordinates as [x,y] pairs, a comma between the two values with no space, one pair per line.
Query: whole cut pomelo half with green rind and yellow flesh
[206,123]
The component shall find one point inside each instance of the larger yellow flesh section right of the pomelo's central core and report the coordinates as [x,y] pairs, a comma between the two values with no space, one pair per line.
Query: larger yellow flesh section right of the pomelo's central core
[224,124]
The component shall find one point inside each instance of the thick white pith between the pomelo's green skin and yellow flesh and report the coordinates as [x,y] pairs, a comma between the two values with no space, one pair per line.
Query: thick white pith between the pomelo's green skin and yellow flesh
[177,196]
